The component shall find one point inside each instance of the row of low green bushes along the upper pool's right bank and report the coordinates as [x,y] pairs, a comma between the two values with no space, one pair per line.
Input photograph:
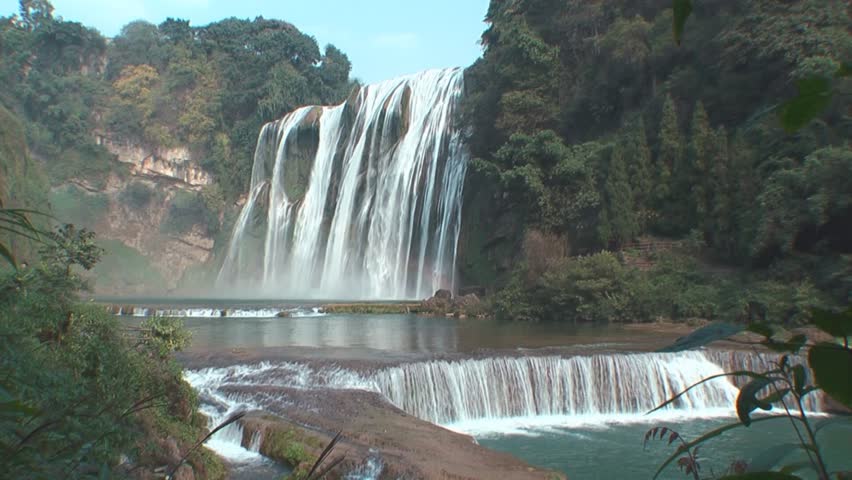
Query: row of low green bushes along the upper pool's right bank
[600,288]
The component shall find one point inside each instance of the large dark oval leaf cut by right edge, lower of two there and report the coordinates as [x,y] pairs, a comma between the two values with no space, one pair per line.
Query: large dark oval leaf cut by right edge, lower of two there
[832,367]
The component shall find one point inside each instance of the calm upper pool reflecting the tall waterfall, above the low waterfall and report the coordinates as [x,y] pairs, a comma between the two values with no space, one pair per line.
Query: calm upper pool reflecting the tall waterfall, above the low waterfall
[392,333]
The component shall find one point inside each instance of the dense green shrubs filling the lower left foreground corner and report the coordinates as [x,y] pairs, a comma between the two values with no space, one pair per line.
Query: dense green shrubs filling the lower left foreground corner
[81,395]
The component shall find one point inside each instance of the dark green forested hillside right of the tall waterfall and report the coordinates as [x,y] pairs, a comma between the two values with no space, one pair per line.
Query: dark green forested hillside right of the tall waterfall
[593,130]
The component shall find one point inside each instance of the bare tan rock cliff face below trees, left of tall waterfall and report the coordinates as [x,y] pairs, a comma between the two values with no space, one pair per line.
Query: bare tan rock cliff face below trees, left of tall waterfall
[150,216]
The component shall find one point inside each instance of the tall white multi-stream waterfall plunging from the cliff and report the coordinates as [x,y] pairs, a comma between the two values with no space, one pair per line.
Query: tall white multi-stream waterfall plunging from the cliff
[360,200]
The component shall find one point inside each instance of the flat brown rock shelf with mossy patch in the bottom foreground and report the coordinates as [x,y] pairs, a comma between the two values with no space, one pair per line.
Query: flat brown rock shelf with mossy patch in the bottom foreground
[406,446]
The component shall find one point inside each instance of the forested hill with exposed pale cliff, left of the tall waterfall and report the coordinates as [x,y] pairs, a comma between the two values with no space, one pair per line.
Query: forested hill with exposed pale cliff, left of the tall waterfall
[148,138]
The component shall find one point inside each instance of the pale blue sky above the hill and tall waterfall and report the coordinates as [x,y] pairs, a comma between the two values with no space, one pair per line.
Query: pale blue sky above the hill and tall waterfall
[383,38]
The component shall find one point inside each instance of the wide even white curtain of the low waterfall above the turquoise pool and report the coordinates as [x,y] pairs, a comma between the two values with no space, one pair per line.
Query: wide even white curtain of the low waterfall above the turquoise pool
[448,392]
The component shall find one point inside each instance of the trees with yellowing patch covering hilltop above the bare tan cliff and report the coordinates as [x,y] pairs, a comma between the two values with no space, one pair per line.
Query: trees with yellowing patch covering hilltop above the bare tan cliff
[209,88]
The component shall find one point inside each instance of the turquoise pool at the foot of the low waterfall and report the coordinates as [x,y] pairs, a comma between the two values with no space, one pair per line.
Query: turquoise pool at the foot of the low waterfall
[616,451]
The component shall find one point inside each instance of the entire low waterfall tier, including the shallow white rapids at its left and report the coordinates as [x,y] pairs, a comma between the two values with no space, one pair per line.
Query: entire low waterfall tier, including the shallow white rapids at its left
[447,392]
